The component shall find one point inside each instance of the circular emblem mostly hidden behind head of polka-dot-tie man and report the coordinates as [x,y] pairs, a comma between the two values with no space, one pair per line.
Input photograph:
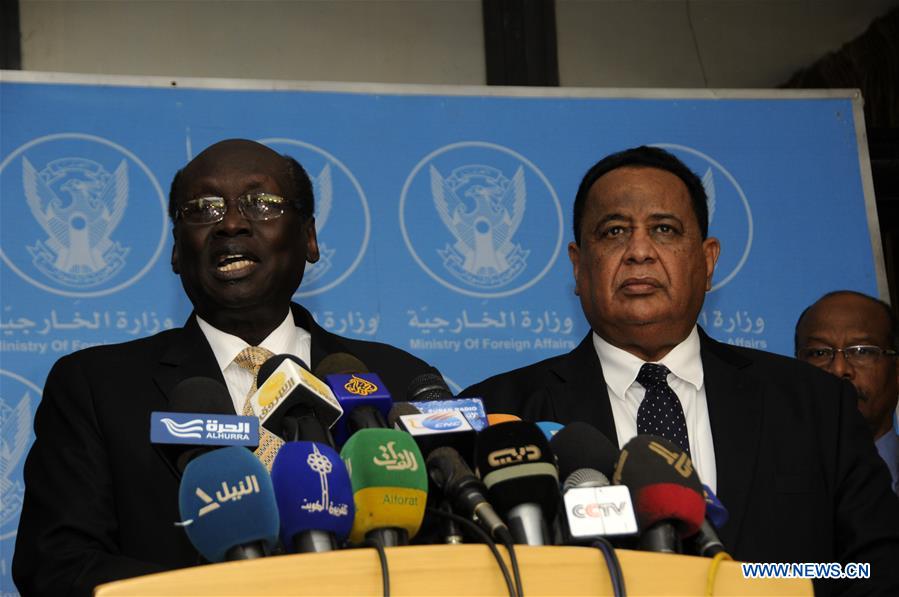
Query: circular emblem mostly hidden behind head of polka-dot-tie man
[730,215]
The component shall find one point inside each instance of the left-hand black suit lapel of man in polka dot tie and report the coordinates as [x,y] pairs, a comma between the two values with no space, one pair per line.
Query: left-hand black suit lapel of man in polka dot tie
[582,394]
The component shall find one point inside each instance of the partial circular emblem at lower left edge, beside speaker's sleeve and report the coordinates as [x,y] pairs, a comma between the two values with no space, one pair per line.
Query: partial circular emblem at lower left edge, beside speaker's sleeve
[17,398]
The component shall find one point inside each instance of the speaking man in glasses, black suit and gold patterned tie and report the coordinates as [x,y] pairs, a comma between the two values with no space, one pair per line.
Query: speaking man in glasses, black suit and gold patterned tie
[100,502]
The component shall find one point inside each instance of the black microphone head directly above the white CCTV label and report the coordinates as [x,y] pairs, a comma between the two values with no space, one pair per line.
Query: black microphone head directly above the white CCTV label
[580,445]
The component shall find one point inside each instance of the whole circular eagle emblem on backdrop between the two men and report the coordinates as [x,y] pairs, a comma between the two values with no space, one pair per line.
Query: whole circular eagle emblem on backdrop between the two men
[481,219]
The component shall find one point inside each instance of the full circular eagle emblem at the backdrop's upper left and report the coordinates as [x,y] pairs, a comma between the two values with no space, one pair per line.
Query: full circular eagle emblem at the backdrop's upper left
[82,216]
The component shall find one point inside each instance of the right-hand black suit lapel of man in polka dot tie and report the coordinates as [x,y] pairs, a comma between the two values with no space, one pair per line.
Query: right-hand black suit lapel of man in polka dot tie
[735,412]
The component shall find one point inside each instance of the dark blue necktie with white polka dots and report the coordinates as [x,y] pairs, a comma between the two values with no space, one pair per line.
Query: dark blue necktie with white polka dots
[661,413]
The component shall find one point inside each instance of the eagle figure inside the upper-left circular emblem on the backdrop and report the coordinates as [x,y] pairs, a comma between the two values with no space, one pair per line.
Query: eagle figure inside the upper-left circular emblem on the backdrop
[79,205]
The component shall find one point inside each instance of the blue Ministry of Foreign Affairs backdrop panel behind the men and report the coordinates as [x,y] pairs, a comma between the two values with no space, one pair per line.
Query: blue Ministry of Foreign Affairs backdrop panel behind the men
[443,214]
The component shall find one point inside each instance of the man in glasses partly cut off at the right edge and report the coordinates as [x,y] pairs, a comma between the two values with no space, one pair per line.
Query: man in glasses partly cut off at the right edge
[855,337]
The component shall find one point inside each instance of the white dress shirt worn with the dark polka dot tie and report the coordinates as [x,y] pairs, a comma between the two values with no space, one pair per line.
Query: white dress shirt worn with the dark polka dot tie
[620,369]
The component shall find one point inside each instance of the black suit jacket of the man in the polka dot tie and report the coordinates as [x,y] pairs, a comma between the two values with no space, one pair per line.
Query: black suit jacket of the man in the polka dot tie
[797,468]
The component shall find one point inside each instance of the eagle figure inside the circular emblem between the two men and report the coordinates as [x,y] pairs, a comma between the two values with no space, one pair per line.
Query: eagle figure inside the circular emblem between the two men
[482,209]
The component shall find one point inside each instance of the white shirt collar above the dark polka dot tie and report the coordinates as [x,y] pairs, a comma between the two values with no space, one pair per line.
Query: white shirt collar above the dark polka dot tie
[620,368]
